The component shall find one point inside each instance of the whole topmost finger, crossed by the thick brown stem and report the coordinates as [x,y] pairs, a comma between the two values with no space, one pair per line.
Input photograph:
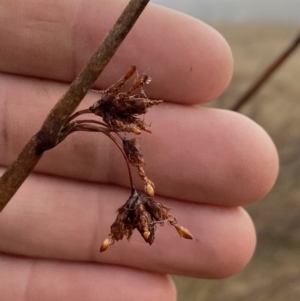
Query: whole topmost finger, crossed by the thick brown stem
[54,39]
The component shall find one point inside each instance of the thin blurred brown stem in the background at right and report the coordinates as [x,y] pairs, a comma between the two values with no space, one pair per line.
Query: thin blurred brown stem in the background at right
[242,100]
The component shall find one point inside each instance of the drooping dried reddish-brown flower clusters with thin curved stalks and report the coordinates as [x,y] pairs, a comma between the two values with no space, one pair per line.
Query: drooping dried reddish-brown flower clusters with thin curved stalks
[120,110]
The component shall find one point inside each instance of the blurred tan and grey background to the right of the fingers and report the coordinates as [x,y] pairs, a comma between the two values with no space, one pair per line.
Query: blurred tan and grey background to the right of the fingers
[257,32]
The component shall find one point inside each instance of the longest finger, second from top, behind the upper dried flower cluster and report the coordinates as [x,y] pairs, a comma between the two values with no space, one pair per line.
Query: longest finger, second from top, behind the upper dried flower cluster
[197,154]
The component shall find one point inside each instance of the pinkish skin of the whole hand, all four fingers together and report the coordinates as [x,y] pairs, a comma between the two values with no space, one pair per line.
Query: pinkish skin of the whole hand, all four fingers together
[206,163]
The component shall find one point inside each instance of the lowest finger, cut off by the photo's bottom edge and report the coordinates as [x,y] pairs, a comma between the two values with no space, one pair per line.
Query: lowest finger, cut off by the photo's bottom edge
[34,279]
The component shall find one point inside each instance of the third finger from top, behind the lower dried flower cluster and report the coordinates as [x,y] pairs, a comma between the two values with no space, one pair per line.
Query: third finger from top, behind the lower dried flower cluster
[57,218]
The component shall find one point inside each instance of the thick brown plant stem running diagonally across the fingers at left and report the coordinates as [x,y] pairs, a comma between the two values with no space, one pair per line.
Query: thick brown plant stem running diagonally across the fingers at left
[48,136]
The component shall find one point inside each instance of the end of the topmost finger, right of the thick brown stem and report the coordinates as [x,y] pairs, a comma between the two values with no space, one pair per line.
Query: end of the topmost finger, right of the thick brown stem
[189,61]
